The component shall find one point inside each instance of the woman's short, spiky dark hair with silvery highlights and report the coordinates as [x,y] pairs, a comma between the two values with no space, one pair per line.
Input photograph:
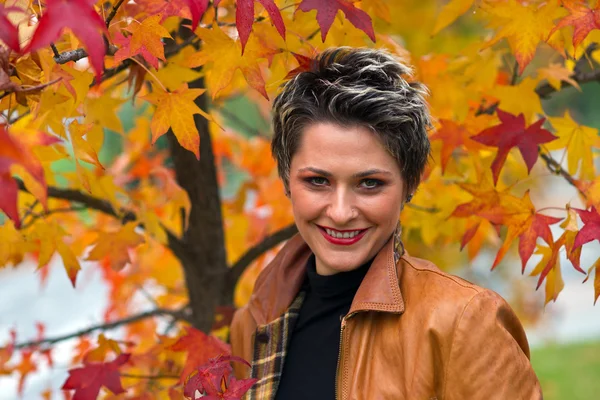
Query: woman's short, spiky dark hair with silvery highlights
[355,86]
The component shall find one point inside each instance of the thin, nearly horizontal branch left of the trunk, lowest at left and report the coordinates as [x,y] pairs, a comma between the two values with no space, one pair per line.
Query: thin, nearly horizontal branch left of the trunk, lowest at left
[179,314]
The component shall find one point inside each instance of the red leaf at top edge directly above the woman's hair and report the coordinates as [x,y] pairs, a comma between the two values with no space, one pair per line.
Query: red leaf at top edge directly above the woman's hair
[327,10]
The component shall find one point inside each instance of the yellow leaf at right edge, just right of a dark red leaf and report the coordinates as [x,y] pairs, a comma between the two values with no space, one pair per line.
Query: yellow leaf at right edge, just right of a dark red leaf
[579,142]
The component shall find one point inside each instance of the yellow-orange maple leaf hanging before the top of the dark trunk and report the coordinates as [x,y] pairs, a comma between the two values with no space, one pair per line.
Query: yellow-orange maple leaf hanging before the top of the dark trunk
[175,110]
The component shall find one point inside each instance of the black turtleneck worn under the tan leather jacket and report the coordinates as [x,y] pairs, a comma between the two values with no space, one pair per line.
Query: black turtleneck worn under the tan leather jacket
[311,361]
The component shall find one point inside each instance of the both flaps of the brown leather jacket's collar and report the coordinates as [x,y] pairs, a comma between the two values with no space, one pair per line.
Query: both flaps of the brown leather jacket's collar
[279,283]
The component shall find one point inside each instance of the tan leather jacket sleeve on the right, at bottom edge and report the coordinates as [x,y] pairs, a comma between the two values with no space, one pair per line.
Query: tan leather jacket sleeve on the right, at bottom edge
[489,354]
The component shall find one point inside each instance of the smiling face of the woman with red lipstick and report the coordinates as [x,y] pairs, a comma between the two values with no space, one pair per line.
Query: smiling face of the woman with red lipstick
[346,192]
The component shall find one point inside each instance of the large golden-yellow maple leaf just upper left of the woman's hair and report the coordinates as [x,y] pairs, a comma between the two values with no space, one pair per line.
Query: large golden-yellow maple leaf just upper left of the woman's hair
[224,52]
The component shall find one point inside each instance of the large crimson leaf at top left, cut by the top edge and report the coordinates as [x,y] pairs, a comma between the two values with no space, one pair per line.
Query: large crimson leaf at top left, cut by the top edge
[81,17]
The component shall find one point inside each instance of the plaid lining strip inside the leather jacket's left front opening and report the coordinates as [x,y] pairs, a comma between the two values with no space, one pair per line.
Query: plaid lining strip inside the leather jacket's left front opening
[270,347]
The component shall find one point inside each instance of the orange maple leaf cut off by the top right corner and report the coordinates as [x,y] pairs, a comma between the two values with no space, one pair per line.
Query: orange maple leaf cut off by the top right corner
[581,18]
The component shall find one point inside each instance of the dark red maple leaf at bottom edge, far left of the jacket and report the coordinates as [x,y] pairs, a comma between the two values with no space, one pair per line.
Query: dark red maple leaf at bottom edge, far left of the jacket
[87,380]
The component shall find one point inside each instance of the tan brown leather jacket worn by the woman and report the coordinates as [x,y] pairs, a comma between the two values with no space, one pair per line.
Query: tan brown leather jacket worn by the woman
[413,332]
